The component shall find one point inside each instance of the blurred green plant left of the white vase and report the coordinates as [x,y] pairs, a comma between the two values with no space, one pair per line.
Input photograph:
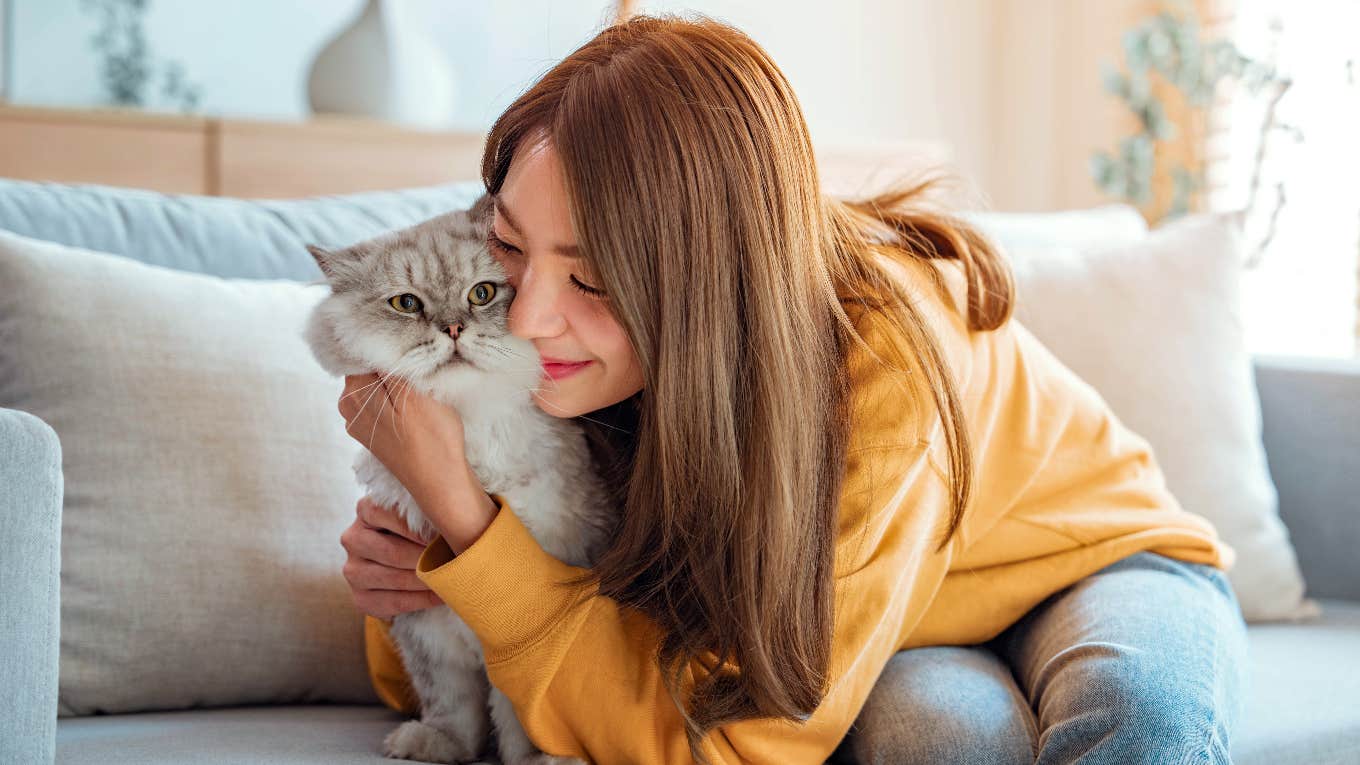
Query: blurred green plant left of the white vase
[129,69]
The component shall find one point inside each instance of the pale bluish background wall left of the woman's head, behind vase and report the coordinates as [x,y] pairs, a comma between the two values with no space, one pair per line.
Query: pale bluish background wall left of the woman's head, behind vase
[252,56]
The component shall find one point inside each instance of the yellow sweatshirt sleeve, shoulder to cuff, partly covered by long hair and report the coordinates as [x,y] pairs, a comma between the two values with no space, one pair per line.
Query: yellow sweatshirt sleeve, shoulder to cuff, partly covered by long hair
[581,670]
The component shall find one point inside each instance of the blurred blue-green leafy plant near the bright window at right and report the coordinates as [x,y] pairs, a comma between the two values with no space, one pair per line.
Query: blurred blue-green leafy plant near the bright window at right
[1170,46]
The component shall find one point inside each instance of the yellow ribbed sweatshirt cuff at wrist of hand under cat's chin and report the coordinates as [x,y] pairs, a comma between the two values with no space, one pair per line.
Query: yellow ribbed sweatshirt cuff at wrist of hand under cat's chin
[505,586]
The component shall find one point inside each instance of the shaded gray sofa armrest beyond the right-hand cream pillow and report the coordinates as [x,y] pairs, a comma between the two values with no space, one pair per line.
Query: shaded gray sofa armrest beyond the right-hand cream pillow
[1312,428]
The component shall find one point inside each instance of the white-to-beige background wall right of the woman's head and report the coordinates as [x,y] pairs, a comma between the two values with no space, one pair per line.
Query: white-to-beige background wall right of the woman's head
[1013,86]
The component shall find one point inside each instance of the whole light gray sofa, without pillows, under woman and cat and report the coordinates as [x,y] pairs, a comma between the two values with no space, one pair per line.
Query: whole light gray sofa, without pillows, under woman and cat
[1305,703]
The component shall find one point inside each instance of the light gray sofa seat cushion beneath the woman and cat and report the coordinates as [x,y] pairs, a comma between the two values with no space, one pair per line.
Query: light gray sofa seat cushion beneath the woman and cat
[1304,709]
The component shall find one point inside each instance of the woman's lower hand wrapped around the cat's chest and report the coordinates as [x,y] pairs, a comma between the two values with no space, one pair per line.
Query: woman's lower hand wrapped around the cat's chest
[381,563]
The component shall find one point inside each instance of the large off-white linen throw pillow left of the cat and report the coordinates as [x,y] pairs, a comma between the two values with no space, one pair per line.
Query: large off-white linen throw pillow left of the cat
[207,483]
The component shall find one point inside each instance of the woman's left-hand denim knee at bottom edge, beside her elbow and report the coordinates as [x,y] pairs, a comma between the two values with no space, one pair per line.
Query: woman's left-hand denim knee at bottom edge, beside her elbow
[945,704]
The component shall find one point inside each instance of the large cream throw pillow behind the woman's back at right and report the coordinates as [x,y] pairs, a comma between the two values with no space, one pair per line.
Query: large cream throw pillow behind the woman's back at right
[1157,327]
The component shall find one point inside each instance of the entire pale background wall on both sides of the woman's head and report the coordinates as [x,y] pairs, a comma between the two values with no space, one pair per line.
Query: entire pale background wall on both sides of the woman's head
[1013,86]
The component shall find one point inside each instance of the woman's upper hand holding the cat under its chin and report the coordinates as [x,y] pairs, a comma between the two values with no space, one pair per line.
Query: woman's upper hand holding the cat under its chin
[417,438]
